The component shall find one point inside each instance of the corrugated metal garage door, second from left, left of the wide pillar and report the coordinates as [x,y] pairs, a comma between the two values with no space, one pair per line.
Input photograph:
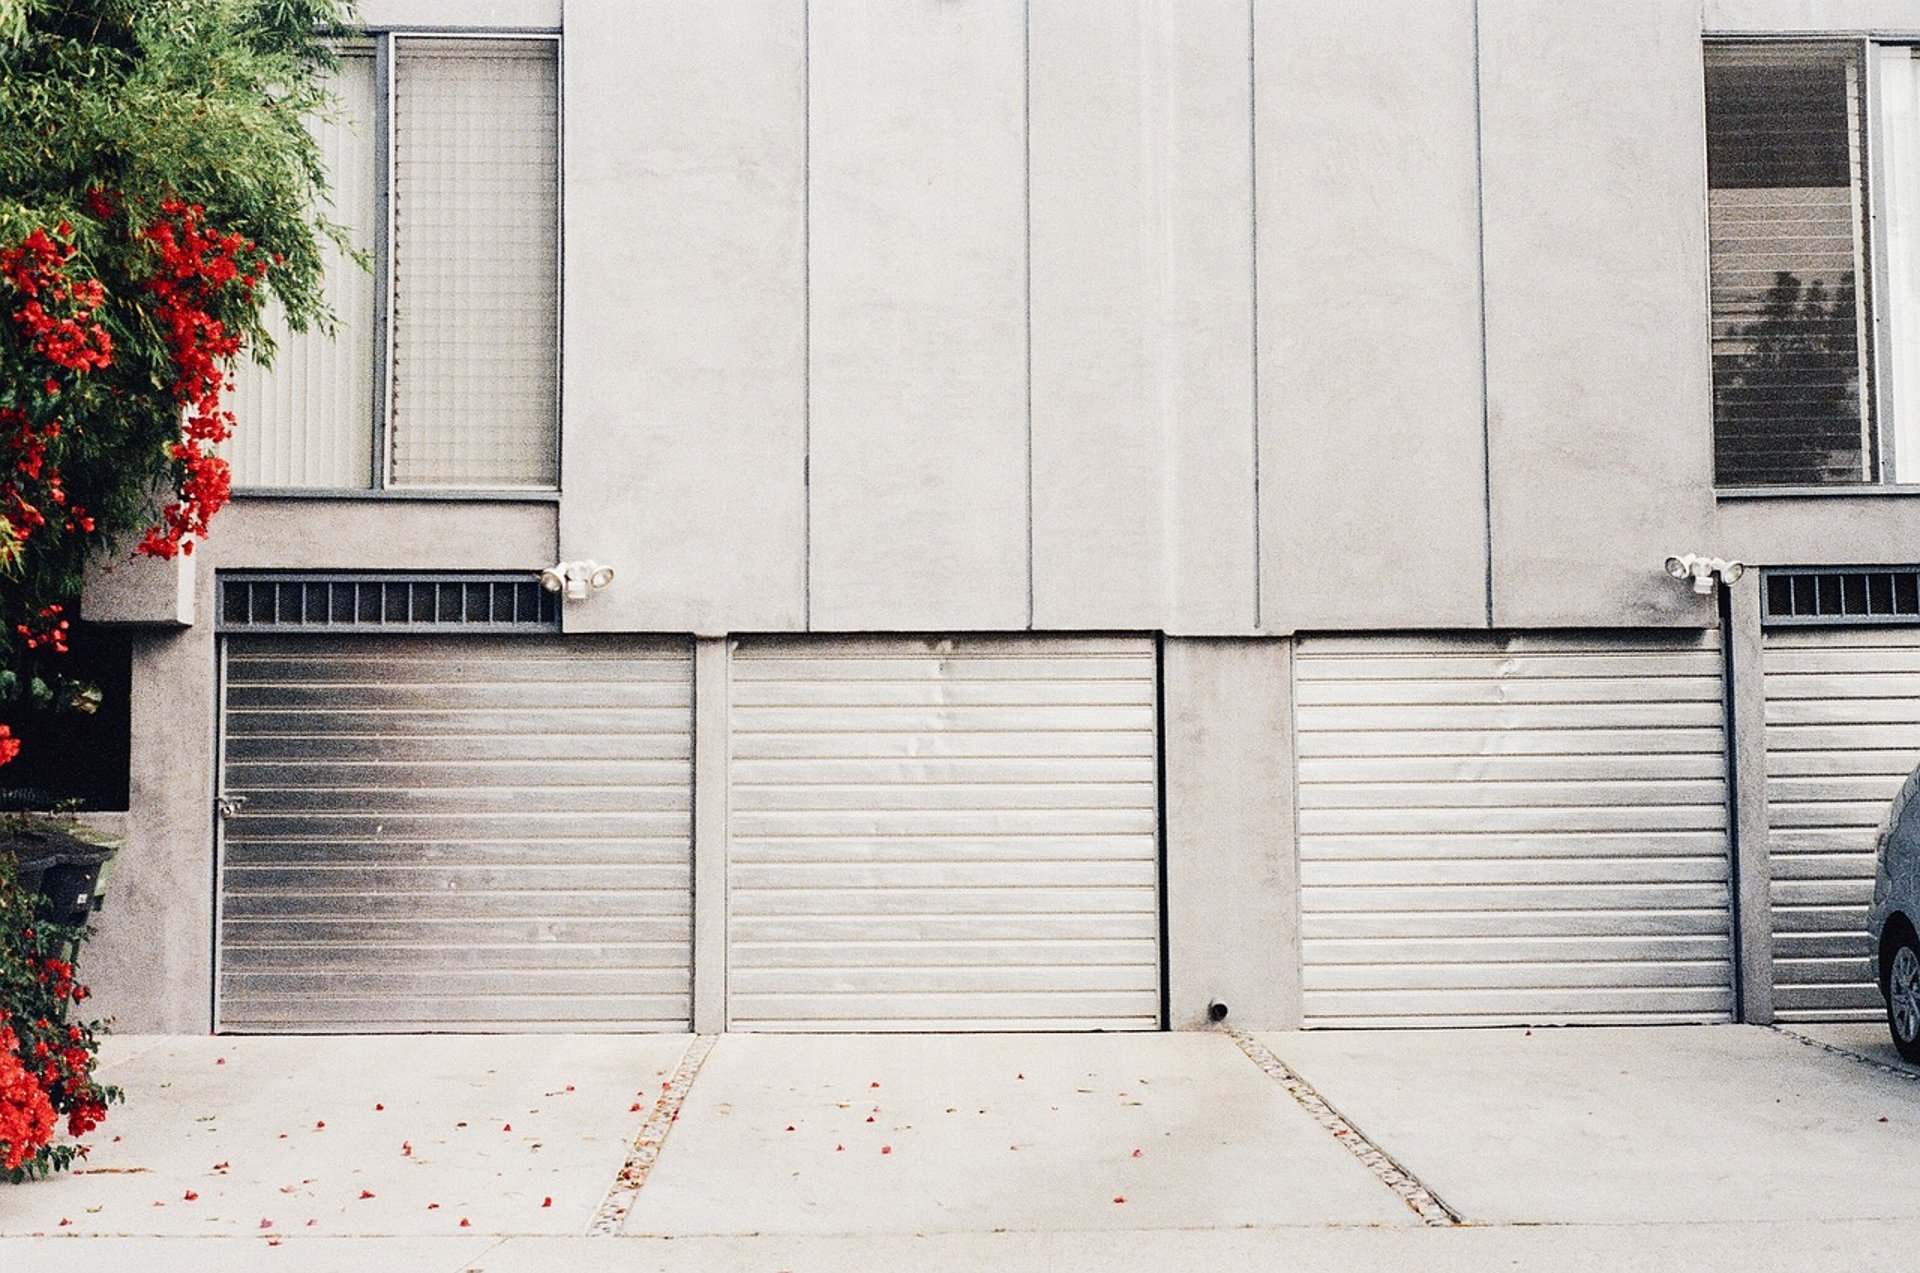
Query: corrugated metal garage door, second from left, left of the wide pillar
[944,836]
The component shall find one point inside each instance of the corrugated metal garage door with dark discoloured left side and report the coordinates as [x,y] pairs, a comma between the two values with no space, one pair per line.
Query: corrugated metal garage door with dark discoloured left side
[456,834]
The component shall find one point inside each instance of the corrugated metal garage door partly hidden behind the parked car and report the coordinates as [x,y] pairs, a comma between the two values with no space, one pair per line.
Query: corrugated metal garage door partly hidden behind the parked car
[1842,734]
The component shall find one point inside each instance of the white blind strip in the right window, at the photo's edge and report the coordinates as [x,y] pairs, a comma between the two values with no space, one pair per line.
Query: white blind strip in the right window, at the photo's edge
[1900,191]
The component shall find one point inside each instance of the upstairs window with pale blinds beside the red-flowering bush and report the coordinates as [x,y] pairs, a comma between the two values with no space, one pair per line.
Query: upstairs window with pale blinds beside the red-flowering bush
[444,366]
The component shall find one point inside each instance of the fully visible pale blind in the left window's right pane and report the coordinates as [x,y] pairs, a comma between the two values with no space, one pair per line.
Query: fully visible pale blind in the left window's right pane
[475,264]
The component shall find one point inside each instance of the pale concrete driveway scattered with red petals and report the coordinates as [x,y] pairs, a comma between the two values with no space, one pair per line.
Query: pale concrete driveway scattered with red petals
[1621,1149]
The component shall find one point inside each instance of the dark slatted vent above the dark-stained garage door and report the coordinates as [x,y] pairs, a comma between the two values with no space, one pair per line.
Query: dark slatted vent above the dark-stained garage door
[387,604]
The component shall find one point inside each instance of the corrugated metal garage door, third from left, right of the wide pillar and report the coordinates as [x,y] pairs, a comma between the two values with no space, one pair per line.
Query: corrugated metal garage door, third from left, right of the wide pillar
[1514,830]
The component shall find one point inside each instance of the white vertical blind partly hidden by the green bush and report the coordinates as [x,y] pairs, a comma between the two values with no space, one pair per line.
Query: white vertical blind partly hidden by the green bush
[310,420]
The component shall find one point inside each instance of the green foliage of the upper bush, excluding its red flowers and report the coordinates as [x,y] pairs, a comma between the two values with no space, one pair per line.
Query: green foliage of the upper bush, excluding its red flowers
[149,103]
